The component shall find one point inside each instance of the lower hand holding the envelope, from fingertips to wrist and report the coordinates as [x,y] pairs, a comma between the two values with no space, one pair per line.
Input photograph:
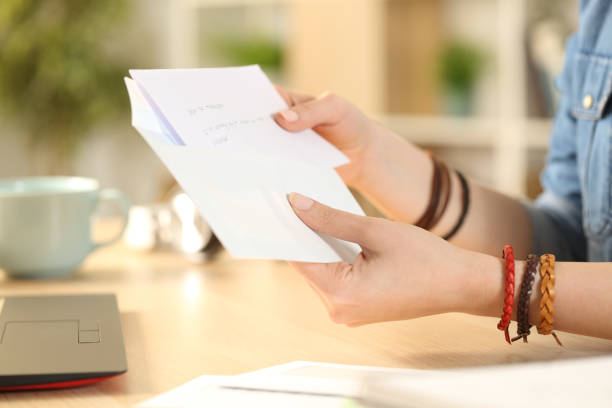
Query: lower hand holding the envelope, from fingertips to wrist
[403,271]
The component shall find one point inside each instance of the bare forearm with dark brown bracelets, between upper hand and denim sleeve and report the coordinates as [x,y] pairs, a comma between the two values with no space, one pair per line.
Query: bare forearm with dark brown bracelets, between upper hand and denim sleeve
[397,179]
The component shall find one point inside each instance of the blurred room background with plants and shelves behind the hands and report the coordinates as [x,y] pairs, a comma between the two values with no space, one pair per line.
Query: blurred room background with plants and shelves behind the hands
[471,80]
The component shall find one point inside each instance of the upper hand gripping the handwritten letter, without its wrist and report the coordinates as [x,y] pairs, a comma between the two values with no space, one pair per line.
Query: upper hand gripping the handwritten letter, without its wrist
[339,122]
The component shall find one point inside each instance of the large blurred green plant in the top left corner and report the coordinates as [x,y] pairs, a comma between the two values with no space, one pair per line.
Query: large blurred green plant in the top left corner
[57,79]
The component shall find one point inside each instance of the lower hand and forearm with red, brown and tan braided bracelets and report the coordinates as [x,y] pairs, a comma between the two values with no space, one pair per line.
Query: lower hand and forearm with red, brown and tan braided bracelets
[405,272]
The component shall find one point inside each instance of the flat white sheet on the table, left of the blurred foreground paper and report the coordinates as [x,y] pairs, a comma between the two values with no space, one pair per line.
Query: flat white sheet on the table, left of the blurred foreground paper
[295,384]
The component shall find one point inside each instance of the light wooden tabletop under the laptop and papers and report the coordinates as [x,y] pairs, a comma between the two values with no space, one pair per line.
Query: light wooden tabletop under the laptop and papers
[181,320]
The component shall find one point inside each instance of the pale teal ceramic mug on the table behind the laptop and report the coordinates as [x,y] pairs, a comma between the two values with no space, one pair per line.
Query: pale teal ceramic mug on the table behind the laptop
[45,224]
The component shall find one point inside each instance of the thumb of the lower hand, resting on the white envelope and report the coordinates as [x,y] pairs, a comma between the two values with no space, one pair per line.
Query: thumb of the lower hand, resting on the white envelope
[339,224]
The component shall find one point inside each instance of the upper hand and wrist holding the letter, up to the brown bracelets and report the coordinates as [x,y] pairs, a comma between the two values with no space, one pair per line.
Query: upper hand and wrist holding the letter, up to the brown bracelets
[392,173]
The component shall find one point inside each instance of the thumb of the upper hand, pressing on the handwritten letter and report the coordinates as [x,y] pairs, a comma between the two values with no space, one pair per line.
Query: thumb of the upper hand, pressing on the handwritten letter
[325,110]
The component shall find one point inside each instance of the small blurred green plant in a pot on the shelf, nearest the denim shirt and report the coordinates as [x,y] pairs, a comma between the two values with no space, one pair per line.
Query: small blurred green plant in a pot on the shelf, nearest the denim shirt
[460,65]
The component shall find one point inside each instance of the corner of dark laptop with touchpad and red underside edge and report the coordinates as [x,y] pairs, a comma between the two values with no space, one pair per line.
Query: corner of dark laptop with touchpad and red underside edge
[59,341]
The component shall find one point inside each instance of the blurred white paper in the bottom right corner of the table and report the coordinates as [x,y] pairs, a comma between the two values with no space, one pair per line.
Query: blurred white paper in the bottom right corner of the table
[562,384]
